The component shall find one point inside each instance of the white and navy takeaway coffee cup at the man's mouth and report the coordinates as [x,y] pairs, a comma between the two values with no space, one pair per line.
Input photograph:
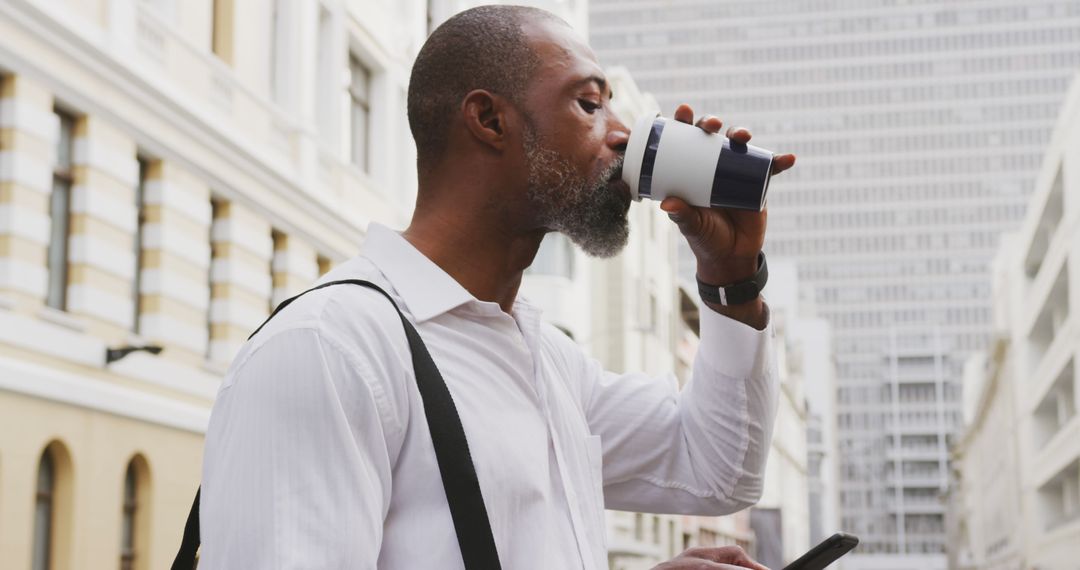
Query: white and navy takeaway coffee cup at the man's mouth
[666,158]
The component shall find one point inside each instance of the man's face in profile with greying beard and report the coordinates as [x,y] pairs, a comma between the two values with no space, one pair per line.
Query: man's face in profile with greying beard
[574,166]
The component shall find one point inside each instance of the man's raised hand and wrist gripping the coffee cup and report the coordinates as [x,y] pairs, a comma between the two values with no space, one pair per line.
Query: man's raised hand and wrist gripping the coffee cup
[725,241]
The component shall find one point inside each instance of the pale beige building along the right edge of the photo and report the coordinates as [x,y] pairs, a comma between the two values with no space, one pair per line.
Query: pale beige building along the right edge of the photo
[1019,460]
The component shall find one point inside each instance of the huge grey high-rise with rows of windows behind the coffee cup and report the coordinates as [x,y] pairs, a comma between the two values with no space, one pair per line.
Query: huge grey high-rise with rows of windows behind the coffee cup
[920,127]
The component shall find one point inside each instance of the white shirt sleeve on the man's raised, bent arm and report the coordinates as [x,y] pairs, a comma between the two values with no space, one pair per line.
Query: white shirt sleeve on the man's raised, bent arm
[696,452]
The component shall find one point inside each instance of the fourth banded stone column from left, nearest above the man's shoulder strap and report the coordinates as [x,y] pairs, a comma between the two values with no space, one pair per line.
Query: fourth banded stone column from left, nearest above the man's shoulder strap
[240,278]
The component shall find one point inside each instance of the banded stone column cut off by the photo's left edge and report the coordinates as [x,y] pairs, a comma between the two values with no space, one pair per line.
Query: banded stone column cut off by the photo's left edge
[29,132]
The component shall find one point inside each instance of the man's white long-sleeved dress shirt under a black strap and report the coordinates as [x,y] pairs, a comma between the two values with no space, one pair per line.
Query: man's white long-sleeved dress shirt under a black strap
[319,456]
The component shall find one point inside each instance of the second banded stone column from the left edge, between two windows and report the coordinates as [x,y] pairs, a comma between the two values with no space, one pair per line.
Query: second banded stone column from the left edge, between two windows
[102,243]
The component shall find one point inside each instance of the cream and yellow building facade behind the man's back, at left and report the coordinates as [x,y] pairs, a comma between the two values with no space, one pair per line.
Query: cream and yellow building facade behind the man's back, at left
[169,172]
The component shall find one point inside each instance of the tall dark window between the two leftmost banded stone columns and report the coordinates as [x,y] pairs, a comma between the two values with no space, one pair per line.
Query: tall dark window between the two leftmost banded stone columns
[60,211]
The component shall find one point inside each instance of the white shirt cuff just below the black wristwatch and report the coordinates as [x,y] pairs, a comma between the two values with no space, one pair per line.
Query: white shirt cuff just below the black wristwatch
[735,349]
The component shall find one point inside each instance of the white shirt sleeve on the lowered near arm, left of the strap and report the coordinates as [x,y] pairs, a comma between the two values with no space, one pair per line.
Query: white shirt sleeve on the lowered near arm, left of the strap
[298,468]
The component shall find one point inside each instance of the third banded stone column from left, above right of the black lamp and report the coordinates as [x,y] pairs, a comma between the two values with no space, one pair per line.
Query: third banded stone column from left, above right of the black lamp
[175,280]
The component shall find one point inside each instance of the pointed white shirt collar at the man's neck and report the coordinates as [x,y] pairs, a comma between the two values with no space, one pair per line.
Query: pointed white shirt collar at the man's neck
[426,289]
